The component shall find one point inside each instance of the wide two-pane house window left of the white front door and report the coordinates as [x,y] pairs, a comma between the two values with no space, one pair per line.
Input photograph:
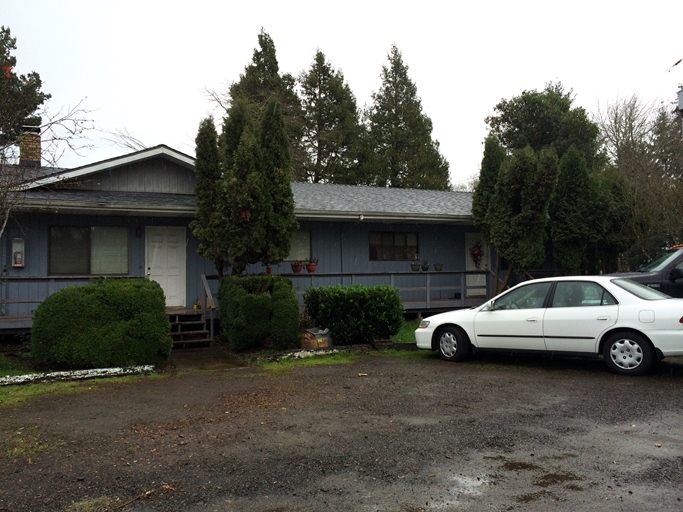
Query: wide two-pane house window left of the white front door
[88,250]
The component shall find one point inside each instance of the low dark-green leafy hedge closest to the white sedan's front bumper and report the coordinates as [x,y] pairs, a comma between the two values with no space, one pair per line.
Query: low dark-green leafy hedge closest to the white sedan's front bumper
[355,314]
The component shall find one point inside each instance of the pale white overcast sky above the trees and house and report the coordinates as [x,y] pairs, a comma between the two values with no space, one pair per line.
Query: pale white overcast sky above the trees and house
[144,66]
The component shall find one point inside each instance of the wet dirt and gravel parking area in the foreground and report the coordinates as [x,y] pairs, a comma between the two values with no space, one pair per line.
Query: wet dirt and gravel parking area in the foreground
[383,433]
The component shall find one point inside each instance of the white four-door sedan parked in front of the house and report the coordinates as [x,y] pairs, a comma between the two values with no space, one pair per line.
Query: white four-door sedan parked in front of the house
[630,325]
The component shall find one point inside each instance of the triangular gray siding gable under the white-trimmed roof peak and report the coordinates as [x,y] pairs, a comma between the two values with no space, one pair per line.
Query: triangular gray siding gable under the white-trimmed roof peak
[155,175]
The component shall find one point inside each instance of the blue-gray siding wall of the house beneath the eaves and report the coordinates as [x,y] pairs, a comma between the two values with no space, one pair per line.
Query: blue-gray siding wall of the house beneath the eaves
[339,247]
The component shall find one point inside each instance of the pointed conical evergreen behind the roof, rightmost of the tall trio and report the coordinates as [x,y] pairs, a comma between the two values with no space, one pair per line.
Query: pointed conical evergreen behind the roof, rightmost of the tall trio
[403,153]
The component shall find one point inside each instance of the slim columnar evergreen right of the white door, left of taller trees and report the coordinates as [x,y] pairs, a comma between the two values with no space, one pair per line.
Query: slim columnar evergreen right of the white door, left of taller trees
[208,226]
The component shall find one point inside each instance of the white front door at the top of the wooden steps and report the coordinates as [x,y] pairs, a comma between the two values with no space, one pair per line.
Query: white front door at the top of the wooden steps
[165,261]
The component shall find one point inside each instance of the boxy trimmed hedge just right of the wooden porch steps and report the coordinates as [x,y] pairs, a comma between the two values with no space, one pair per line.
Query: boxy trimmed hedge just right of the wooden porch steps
[257,310]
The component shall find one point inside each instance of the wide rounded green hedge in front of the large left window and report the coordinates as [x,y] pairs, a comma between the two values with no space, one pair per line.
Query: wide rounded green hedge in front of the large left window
[107,323]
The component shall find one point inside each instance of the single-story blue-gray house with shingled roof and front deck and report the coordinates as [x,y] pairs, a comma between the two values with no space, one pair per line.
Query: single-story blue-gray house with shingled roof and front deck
[129,216]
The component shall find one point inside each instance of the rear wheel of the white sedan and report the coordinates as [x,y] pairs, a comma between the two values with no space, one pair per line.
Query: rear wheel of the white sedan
[628,353]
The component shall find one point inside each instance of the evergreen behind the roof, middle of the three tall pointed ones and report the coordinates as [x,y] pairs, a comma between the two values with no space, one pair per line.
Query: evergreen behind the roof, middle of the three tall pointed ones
[331,126]
